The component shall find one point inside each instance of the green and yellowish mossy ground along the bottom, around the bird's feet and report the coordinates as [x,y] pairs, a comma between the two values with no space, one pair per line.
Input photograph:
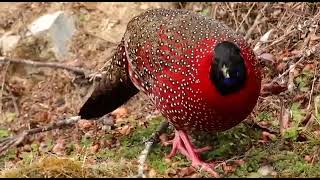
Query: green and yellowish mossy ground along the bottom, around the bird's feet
[287,157]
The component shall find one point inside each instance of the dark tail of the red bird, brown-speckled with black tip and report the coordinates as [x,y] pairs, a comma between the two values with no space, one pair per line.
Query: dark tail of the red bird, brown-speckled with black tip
[112,90]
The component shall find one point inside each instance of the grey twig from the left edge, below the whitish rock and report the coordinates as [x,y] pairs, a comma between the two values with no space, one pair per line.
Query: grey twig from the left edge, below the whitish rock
[45,64]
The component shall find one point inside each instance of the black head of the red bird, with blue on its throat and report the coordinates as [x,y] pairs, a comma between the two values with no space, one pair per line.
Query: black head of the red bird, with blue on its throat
[228,71]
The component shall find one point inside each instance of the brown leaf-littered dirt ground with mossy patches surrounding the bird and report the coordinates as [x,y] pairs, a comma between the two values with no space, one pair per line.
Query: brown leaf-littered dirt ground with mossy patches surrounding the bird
[285,36]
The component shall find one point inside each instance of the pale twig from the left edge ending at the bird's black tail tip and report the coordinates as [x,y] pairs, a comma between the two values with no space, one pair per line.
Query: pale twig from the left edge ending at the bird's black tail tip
[17,139]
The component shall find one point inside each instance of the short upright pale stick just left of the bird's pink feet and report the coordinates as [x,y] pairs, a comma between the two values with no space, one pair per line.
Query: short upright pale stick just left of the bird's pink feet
[148,144]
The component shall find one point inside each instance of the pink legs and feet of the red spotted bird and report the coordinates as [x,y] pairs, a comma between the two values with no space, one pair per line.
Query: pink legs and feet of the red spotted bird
[182,143]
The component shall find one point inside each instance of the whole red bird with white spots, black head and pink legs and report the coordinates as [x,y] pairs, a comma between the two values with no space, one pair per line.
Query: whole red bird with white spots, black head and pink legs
[198,72]
